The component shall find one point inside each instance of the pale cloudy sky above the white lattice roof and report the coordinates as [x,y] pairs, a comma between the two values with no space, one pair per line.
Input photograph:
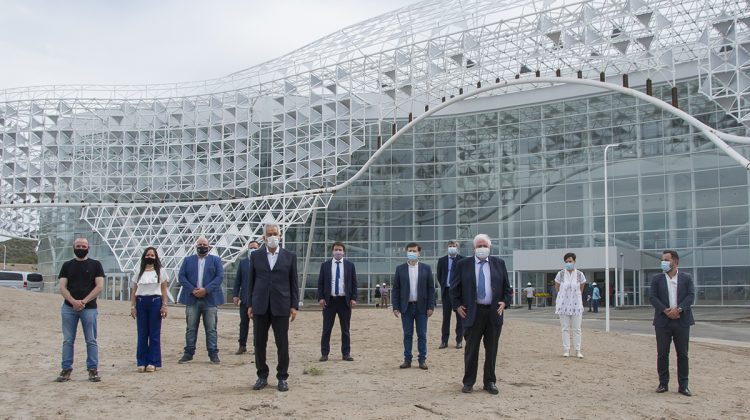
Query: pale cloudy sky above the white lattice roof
[45,42]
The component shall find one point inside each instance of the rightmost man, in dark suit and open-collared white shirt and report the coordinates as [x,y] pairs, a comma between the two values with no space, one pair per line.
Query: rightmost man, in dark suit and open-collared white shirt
[672,295]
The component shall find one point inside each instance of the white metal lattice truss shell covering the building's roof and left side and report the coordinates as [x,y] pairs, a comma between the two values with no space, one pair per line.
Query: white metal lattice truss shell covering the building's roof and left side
[163,164]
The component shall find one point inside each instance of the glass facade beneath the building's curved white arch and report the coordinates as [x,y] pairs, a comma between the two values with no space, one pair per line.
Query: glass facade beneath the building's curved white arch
[531,177]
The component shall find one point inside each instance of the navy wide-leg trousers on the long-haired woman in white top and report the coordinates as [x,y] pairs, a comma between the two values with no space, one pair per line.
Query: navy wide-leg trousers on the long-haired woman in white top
[148,320]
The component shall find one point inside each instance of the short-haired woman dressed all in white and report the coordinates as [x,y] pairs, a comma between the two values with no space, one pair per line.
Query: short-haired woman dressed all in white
[570,284]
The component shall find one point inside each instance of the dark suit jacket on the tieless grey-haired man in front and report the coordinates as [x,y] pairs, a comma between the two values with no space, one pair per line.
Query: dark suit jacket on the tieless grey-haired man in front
[277,289]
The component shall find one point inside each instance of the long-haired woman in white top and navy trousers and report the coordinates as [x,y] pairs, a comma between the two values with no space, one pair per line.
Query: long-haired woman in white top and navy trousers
[148,307]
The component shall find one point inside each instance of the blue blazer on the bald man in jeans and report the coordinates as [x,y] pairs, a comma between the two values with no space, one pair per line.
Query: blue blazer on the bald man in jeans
[213,276]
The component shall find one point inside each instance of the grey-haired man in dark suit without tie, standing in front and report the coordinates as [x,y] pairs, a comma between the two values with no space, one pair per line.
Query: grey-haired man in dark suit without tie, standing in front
[273,301]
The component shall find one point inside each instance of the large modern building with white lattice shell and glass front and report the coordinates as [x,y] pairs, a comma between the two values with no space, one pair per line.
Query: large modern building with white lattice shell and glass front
[437,121]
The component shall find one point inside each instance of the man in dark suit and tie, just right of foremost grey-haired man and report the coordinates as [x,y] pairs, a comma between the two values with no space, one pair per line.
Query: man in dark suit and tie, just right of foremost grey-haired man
[337,295]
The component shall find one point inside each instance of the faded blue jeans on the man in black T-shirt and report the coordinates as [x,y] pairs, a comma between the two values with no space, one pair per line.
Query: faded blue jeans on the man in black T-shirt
[70,318]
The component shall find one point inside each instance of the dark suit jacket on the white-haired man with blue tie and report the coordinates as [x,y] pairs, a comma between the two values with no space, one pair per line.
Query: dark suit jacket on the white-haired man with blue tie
[463,289]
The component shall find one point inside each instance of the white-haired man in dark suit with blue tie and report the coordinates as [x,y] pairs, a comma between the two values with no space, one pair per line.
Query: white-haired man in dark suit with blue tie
[480,292]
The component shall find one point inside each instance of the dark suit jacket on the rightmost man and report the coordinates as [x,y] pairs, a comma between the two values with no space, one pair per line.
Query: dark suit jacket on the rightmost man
[659,296]
